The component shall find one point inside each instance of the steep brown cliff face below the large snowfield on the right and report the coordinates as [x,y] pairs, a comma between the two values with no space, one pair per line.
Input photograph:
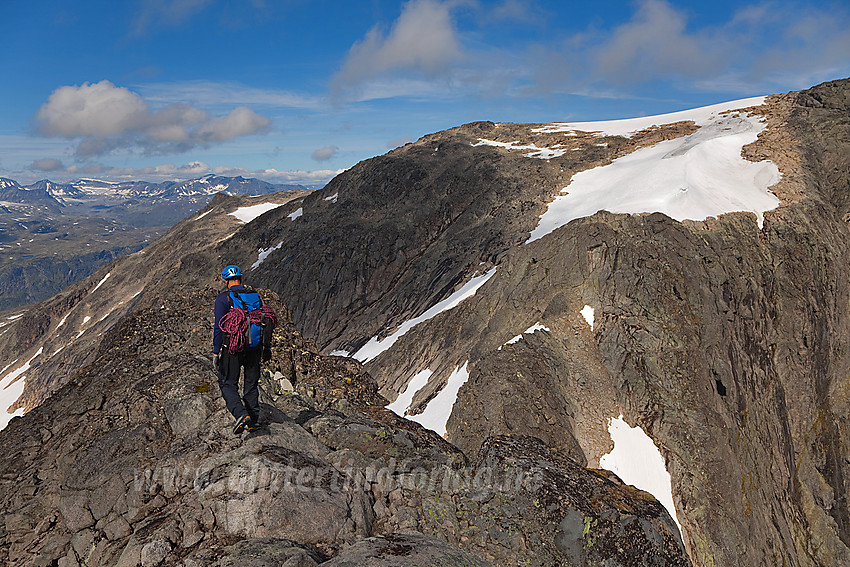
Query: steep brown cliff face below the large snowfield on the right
[727,343]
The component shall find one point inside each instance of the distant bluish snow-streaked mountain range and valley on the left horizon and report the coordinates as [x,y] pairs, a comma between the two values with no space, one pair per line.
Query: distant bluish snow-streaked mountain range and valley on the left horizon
[53,234]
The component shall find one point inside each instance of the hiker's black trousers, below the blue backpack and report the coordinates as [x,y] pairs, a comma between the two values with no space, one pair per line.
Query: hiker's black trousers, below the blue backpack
[228,381]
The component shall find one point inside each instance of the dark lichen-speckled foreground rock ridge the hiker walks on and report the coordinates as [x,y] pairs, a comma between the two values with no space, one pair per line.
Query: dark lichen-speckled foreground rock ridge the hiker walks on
[134,463]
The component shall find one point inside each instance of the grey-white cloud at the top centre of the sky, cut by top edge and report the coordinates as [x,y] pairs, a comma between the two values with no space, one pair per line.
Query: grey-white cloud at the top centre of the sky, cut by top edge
[423,39]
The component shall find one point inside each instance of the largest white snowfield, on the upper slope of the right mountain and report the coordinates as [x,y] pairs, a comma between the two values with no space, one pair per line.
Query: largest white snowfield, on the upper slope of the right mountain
[694,177]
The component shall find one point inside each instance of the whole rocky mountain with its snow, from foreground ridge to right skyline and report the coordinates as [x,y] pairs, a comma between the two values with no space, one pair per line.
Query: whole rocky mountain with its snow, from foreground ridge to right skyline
[548,306]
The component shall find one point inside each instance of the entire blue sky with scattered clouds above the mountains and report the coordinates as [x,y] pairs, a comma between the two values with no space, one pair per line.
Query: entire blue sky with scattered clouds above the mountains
[295,91]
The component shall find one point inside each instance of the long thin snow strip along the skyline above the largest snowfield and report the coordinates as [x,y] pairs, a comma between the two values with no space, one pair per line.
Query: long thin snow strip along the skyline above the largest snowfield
[628,127]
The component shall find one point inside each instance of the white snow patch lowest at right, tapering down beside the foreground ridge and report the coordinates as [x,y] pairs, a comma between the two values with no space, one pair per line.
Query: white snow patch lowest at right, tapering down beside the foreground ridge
[637,461]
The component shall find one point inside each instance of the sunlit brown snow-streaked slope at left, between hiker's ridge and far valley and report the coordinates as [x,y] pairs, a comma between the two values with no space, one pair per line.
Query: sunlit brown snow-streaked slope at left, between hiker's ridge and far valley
[67,329]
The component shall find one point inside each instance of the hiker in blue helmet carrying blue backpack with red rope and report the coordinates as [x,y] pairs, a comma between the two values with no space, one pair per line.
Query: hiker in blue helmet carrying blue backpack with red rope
[243,327]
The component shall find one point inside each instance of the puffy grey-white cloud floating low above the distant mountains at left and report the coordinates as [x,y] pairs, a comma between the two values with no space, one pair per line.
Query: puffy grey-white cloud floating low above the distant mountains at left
[107,118]
